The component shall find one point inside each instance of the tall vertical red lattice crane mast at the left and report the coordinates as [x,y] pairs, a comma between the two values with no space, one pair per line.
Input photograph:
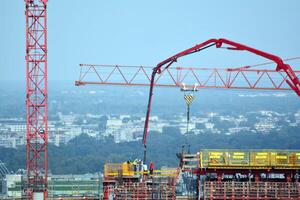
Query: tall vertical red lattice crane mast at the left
[36,97]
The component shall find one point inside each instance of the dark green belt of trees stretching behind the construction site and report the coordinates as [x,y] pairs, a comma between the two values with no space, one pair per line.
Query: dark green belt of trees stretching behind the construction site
[84,154]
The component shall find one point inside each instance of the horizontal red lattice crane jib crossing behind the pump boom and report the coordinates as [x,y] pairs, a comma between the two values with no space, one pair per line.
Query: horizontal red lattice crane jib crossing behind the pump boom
[225,78]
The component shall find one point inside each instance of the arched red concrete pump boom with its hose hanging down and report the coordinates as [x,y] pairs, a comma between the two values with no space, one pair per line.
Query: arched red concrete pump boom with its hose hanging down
[293,81]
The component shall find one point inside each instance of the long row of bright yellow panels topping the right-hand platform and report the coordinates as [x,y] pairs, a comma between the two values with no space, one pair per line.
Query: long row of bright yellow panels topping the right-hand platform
[216,158]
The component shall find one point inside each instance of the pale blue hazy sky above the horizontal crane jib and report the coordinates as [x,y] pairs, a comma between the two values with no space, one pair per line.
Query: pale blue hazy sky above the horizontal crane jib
[136,32]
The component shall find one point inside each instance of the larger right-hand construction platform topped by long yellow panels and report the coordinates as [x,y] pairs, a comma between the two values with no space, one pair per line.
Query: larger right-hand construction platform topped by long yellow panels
[240,174]
